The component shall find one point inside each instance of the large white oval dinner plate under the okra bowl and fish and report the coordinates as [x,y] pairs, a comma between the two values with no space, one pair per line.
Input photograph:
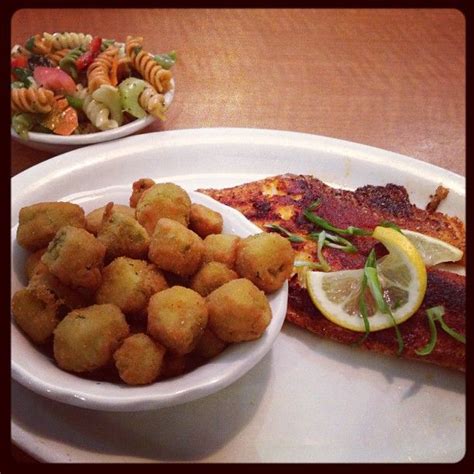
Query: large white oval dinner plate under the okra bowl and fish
[308,400]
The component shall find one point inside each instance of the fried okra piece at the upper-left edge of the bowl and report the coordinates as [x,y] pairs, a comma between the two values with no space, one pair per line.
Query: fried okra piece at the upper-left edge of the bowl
[39,222]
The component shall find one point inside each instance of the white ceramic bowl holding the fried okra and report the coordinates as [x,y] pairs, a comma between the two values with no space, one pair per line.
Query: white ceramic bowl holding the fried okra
[40,374]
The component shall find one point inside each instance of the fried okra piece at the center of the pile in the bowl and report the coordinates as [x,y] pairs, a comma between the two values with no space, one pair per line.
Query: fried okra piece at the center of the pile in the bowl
[129,284]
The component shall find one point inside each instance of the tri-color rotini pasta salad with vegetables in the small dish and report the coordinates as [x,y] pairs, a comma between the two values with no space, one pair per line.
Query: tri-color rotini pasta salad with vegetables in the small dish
[76,83]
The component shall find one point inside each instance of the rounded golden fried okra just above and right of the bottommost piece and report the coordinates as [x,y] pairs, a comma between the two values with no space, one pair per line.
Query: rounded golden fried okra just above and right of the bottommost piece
[177,318]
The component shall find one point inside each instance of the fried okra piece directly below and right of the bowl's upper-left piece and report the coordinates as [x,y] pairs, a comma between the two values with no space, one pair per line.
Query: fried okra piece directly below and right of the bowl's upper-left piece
[76,257]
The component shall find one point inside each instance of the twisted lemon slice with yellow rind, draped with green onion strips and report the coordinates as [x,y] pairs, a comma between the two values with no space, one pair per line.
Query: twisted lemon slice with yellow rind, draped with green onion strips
[402,274]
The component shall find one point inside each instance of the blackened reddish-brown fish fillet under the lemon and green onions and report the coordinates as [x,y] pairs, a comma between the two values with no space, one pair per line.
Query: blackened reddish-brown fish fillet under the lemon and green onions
[282,199]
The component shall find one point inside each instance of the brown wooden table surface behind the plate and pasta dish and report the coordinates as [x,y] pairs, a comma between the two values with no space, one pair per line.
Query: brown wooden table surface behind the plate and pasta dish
[393,79]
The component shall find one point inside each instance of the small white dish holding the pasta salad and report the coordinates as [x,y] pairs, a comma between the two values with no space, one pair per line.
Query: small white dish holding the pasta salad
[61,144]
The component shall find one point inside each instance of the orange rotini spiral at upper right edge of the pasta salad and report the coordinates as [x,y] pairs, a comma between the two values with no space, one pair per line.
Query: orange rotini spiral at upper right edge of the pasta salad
[150,70]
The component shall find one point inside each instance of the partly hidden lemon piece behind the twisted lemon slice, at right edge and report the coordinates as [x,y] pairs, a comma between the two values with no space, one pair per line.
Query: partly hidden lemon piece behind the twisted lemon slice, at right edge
[433,251]
